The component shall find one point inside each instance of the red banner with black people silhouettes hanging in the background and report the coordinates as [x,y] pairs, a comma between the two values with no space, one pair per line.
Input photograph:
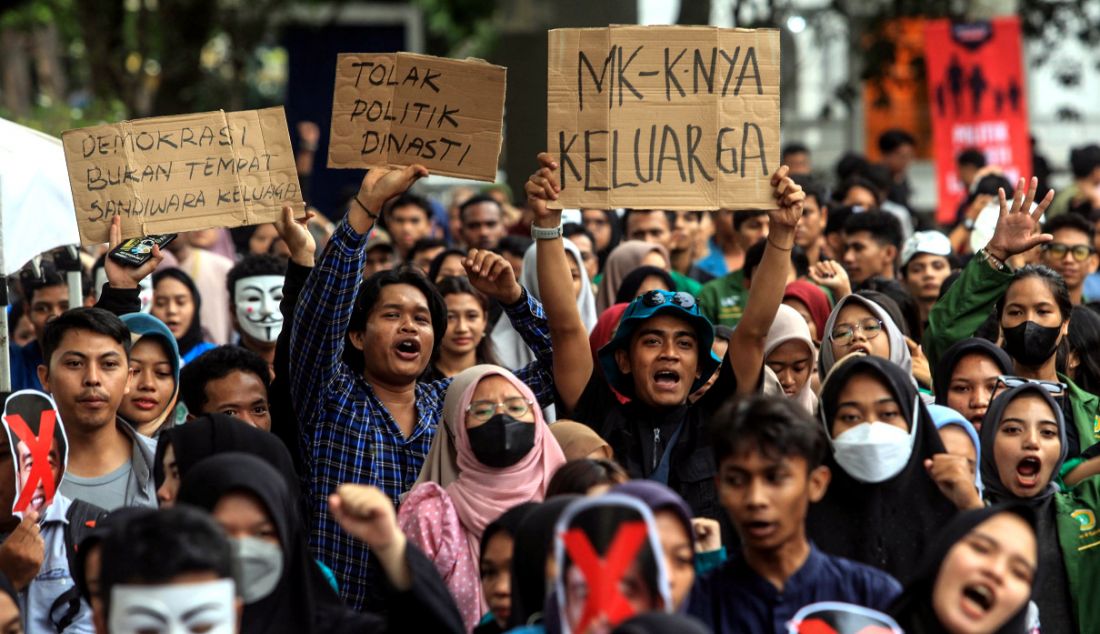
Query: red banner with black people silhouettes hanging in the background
[976,85]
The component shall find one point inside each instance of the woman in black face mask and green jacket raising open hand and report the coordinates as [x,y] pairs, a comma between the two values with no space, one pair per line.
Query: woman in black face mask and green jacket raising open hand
[1032,305]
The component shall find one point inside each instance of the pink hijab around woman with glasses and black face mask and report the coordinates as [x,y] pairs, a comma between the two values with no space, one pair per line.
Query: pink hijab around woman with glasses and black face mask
[482,494]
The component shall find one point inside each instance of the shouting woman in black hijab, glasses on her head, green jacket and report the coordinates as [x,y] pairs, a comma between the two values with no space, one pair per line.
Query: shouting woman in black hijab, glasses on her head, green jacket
[1025,461]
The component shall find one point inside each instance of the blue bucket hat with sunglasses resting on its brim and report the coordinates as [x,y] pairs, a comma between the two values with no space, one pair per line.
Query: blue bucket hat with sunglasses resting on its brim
[679,305]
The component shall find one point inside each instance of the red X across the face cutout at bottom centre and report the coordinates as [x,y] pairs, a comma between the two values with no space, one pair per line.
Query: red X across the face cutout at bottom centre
[604,576]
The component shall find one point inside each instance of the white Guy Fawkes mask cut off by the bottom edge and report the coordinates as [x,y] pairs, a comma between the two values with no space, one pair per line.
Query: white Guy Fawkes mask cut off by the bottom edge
[178,609]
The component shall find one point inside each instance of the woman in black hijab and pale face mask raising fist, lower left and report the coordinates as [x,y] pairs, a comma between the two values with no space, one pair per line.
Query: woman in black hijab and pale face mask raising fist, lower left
[282,586]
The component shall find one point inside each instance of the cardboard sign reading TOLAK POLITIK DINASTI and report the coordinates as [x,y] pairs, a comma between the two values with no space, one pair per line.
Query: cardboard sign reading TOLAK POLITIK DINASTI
[401,108]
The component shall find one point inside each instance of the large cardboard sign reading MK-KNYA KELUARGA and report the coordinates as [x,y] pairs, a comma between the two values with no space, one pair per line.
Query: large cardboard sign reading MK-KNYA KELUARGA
[664,117]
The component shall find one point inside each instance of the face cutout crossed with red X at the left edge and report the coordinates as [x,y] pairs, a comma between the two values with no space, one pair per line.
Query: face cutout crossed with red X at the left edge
[39,450]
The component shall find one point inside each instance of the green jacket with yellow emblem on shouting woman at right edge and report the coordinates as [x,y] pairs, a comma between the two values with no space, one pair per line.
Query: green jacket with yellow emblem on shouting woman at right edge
[1080,538]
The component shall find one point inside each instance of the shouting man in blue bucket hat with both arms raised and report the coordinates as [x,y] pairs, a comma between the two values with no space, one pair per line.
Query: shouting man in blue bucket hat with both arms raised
[659,356]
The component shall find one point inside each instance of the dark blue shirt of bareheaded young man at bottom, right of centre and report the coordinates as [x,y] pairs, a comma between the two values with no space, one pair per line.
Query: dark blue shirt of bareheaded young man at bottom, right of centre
[735,599]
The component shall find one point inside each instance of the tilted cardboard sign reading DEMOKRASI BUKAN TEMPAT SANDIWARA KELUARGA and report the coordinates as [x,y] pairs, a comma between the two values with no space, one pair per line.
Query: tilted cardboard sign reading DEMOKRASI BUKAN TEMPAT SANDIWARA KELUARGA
[183,173]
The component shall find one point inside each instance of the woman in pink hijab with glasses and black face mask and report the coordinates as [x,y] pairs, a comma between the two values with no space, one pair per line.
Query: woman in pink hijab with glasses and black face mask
[497,453]
